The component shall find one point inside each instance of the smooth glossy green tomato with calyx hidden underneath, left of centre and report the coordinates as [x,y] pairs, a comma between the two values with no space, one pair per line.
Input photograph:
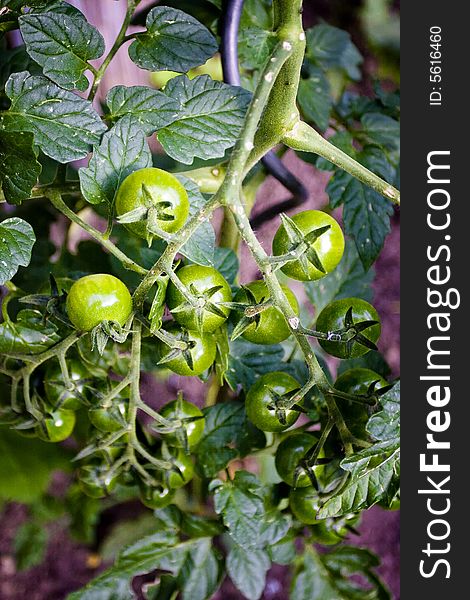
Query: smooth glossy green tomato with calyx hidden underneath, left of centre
[96,298]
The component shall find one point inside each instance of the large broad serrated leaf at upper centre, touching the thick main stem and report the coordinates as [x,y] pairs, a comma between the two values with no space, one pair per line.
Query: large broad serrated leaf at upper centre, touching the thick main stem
[210,118]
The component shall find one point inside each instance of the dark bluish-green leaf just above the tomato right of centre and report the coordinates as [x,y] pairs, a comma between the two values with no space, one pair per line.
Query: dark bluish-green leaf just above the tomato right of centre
[247,361]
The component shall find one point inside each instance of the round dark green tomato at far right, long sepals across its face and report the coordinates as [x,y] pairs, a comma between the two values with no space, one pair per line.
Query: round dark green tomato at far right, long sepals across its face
[334,317]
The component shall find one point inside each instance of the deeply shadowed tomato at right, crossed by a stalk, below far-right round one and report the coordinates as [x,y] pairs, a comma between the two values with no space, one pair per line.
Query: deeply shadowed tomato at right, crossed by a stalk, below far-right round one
[357,381]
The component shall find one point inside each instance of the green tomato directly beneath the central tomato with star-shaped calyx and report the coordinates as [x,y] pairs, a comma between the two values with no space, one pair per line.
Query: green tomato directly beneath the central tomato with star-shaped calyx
[202,348]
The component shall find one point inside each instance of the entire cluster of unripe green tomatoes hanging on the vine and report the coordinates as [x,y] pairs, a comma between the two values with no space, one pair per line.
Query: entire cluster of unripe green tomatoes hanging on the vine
[151,203]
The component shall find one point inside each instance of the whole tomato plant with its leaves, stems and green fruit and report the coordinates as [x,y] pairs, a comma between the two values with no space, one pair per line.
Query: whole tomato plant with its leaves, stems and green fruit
[177,368]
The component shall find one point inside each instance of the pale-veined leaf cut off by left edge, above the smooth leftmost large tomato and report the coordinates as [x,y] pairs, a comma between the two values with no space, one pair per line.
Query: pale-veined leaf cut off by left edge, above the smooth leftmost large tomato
[16,243]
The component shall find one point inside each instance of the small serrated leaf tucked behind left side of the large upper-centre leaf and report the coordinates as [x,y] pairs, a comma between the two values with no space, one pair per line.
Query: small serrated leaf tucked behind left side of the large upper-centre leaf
[151,108]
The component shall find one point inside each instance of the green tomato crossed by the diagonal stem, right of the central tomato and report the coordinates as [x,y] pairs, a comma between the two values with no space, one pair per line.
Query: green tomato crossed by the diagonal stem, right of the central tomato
[269,326]
